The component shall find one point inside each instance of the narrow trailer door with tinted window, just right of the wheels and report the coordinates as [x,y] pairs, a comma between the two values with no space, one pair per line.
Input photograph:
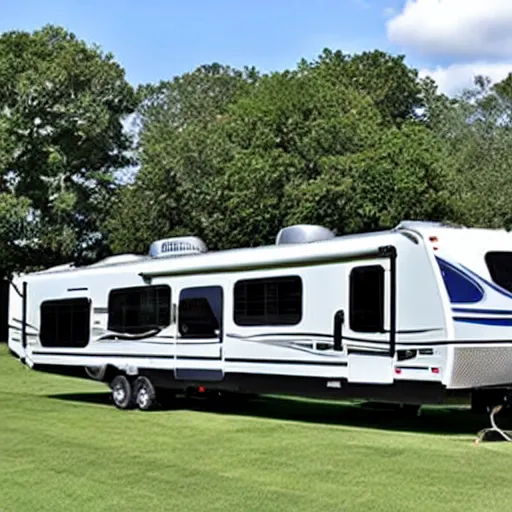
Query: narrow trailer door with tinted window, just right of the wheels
[199,333]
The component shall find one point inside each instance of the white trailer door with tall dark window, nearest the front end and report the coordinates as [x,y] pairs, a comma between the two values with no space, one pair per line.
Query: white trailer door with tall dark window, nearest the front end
[369,324]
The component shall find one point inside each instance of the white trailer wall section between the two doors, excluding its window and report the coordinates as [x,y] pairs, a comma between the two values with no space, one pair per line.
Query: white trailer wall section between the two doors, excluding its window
[304,348]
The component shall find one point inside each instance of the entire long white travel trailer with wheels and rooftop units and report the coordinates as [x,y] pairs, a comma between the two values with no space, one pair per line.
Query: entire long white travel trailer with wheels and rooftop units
[408,315]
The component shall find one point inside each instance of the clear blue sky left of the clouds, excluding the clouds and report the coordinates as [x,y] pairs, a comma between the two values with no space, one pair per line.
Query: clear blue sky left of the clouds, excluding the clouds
[158,39]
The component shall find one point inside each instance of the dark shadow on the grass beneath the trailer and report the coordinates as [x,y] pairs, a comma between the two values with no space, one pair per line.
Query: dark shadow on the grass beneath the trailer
[434,420]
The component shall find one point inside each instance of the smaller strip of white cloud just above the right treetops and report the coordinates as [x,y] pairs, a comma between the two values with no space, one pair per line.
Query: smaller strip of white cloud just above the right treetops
[453,79]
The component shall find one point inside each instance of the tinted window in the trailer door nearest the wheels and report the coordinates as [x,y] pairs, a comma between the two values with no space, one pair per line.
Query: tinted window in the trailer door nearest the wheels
[200,312]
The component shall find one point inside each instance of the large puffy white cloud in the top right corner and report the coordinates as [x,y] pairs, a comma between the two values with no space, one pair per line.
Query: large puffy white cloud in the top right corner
[476,29]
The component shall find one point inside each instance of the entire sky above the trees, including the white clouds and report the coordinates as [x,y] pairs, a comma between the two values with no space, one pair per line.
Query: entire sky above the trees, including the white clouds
[451,40]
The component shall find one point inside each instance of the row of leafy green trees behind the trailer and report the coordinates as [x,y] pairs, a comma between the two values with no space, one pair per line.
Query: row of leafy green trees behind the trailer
[352,142]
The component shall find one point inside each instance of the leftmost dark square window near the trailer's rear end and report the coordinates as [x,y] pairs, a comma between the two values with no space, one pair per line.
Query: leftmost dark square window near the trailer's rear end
[65,323]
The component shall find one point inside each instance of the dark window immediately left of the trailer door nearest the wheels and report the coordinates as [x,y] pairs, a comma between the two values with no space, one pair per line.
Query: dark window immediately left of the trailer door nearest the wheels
[139,309]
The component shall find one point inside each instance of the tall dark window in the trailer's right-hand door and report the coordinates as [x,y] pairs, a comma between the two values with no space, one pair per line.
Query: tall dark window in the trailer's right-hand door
[367,299]
